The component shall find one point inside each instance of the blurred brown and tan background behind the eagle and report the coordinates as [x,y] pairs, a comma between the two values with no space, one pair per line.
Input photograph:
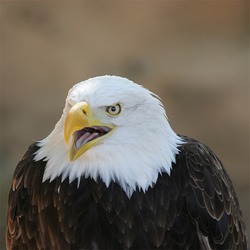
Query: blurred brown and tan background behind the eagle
[193,54]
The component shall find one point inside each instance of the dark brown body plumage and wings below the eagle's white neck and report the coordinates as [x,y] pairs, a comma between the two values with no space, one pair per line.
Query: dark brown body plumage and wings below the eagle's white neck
[192,208]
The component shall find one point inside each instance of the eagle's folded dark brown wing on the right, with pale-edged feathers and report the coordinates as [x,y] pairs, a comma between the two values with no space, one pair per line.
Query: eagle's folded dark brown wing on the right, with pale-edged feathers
[211,199]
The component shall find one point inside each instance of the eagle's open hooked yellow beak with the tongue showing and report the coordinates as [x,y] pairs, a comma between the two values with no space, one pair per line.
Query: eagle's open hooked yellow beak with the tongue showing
[82,131]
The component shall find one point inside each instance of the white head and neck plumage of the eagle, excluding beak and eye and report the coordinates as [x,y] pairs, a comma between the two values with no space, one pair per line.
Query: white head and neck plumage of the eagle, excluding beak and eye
[142,146]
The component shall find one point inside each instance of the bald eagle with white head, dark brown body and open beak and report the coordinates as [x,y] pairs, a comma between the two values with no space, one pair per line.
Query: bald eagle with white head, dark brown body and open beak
[114,175]
